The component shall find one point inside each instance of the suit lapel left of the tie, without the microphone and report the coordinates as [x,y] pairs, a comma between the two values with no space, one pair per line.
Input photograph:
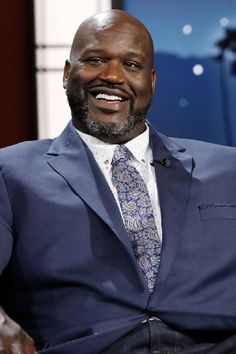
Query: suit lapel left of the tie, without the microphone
[70,158]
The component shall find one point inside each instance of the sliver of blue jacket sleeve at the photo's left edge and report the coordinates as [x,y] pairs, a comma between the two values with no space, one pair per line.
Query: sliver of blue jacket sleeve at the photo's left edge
[6,236]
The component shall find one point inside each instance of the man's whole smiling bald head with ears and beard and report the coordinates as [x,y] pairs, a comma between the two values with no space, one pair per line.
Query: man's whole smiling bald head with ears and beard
[110,80]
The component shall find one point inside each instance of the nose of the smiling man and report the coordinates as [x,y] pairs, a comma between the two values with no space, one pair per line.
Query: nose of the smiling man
[113,73]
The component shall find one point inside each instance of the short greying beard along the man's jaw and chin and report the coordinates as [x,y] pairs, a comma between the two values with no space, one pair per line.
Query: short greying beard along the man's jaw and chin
[100,129]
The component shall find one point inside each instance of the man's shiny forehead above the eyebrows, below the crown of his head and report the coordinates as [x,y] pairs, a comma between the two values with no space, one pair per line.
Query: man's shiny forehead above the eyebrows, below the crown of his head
[113,36]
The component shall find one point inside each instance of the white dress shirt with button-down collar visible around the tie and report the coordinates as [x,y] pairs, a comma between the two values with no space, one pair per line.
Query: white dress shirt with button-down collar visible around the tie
[141,150]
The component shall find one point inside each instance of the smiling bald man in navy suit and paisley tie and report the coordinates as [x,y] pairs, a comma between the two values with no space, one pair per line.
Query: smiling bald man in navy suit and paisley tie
[85,271]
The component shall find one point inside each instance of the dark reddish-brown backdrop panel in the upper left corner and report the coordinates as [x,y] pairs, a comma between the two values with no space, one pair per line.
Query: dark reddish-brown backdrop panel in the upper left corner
[18,118]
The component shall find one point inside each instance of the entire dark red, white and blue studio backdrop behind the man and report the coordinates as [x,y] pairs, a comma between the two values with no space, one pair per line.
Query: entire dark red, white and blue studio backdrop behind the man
[195,56]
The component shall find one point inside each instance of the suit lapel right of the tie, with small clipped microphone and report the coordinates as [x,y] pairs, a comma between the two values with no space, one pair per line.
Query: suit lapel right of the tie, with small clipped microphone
[173,168]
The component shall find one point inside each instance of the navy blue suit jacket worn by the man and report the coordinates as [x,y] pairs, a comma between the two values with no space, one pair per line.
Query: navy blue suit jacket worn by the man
[69,275]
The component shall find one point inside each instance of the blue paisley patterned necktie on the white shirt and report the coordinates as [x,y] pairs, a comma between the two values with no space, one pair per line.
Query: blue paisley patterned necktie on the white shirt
[137,213]
